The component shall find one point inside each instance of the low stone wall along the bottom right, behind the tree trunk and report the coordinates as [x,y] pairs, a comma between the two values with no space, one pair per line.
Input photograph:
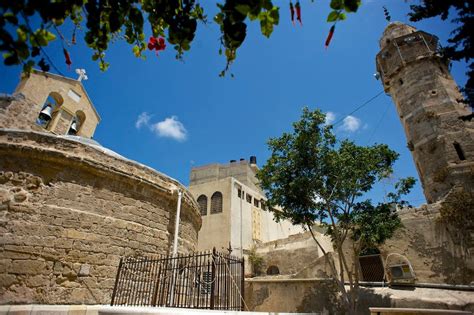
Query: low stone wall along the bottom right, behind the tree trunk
[320,296]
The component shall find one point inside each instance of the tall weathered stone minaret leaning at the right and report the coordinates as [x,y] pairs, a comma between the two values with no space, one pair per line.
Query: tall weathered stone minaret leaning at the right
[438,125]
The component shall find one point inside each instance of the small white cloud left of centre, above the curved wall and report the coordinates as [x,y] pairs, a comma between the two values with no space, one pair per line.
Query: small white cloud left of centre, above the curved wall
[171,127]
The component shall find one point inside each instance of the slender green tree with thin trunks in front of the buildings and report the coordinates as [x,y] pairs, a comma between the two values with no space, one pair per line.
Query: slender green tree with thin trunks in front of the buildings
[316,179]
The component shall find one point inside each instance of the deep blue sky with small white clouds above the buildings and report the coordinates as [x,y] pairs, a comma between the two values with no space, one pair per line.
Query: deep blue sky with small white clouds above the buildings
[193,117]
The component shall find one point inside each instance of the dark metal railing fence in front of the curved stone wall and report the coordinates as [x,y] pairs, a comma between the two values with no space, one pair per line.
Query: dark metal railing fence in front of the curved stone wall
[205,280]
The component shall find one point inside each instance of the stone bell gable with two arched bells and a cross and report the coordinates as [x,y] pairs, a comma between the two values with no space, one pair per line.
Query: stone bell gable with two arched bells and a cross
[50,103]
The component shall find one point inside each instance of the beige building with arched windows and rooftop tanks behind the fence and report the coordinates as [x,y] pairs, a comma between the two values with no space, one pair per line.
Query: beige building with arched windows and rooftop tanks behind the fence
[233,208]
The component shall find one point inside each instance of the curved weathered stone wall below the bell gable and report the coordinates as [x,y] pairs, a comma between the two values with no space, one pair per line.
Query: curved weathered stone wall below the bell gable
[69,211]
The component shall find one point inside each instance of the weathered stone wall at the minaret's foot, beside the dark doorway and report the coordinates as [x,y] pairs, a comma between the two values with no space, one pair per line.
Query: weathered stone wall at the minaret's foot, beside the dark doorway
[434,253]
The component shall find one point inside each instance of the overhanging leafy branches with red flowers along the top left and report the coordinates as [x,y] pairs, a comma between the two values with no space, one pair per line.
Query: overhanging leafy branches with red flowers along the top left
[22,38]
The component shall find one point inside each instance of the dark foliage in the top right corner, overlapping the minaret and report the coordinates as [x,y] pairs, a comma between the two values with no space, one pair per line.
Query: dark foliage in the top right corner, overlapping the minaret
[461,44]
